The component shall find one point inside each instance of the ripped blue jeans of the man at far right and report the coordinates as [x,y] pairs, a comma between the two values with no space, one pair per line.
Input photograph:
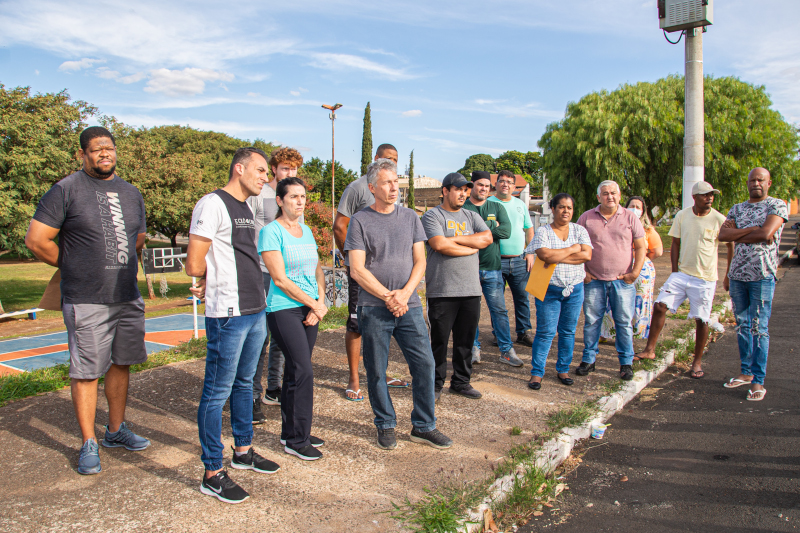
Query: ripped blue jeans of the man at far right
[752,306]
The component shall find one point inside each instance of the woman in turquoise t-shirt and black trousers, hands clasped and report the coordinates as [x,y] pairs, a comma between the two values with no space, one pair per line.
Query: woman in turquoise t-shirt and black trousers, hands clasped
[295,305]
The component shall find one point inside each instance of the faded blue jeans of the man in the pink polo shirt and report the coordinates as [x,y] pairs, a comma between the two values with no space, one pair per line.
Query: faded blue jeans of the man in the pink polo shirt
[622,298]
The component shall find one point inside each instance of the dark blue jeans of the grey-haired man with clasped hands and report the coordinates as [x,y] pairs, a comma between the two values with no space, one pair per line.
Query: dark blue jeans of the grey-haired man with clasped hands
[378,325]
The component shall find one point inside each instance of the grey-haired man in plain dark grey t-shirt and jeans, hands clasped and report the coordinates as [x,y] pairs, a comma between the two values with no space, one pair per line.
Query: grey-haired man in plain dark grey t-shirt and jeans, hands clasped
[387,259]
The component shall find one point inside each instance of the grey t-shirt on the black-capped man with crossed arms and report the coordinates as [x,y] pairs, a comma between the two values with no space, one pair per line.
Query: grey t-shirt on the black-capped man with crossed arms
[448,276]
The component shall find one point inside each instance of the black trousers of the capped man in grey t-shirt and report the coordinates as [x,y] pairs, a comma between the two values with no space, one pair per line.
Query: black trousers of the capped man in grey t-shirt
[461,316]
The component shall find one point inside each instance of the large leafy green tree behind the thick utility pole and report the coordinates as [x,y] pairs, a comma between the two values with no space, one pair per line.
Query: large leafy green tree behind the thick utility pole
[634,135]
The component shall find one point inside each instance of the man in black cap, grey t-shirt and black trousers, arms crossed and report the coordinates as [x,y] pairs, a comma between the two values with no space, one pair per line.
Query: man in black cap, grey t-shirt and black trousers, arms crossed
[452,283]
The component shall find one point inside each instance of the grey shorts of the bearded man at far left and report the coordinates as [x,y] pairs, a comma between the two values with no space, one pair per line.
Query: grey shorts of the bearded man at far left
[102,334]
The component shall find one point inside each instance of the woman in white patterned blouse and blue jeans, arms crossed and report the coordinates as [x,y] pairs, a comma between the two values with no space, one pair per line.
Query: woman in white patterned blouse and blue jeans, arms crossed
[568,246]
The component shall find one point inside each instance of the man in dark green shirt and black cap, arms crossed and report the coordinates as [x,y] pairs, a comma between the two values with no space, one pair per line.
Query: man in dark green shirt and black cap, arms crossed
[491,275]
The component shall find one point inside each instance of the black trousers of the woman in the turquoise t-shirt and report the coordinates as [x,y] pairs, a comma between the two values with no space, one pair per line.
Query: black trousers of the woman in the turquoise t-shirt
[296,341]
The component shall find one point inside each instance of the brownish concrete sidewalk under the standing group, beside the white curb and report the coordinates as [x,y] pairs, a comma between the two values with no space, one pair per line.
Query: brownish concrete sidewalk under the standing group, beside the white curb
[350,488]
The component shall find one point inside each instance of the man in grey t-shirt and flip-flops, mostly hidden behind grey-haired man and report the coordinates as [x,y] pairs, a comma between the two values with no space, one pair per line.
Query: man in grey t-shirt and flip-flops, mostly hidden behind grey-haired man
[356,196]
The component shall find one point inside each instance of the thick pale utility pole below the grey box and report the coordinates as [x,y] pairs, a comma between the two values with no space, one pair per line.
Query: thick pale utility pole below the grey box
[693,140]
